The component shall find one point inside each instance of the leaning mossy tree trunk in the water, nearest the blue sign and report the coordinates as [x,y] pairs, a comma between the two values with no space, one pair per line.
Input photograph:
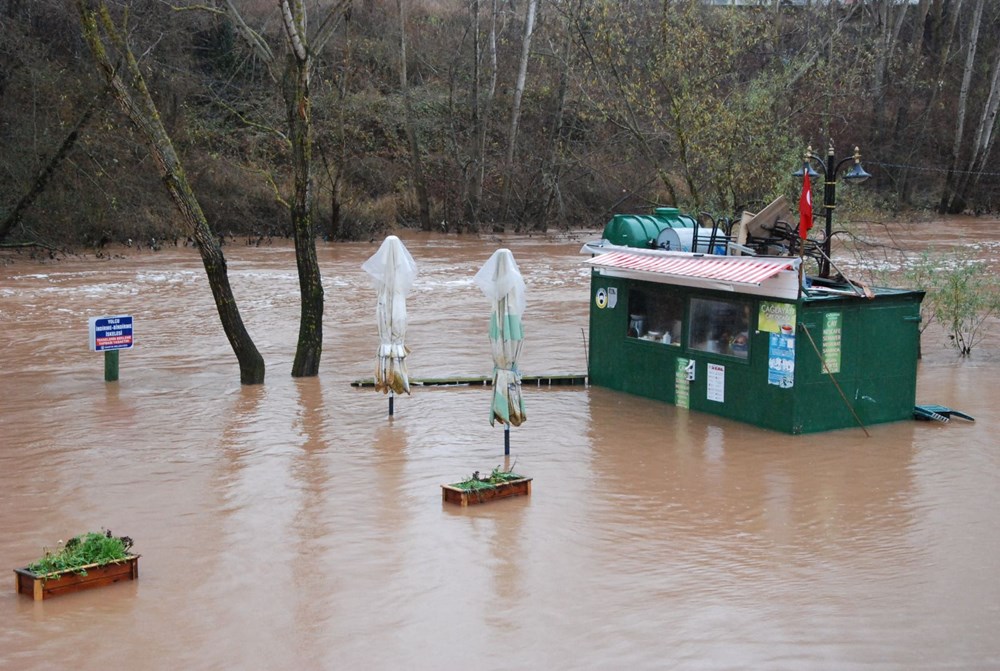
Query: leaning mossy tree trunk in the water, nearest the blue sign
[138,105]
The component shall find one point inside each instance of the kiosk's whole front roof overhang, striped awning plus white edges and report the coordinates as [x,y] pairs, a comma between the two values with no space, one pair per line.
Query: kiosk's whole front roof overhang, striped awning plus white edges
[764,276]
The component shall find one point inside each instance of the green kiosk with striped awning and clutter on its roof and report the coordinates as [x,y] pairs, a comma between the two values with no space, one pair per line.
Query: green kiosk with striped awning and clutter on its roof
[719,321]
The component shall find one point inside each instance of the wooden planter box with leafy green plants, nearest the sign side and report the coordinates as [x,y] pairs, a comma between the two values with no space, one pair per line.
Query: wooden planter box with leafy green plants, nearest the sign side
[89,560]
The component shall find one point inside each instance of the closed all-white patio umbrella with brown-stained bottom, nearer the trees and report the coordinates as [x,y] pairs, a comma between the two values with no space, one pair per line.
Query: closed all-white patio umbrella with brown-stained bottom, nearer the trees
[393,272]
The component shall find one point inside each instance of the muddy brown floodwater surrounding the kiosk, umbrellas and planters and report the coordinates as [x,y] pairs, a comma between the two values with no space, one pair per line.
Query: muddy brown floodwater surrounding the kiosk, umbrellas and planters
[294,525]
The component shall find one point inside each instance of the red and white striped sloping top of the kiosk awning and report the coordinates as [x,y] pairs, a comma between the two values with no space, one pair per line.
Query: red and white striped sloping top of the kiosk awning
[734,269]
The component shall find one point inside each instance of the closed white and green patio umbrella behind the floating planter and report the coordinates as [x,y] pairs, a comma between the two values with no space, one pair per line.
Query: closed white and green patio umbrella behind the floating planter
[501,281]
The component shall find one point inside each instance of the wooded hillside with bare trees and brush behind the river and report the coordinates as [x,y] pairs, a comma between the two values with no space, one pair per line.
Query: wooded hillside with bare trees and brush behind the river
[490,115]
